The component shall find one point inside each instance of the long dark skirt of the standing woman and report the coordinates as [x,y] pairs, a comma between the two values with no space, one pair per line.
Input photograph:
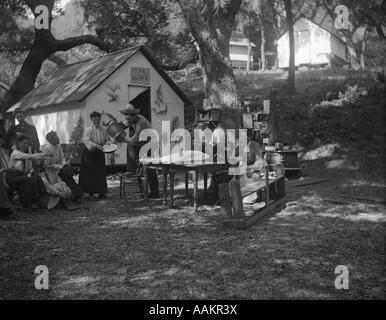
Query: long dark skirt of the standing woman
[92,177]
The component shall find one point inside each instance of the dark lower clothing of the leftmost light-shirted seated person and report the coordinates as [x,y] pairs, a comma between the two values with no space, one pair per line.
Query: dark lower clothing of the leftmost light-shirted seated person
[30,189]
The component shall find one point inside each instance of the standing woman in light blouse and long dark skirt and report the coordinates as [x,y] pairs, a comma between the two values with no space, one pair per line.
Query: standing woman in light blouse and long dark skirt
[92,177]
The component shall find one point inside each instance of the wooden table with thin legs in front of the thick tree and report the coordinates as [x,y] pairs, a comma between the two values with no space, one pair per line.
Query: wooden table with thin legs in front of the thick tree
[170,169]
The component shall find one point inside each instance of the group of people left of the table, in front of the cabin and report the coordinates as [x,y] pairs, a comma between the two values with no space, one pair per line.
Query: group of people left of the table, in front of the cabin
[40,175]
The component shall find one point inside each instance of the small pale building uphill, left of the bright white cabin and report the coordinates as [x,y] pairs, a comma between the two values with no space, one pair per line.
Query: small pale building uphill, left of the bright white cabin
[239,49]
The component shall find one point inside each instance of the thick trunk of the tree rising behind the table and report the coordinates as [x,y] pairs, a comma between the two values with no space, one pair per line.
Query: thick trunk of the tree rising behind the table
[211,24]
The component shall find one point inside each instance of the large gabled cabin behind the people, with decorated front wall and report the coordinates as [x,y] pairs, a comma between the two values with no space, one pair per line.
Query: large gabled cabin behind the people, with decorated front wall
[106,83]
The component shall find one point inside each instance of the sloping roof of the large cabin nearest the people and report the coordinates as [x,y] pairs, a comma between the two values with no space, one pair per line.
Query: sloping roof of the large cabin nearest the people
[74,82]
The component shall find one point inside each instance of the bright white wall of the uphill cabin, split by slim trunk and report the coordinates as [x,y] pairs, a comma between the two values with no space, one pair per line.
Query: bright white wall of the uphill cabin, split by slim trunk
[312,45]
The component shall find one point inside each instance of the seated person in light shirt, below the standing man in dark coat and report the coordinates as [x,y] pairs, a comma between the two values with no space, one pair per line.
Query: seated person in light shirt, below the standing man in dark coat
[19,176]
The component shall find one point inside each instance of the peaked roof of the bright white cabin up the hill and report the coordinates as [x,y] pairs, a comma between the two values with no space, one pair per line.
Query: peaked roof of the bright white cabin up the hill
[320,17]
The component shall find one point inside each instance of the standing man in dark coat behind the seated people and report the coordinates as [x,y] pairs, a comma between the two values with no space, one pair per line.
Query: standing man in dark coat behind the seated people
[22,128]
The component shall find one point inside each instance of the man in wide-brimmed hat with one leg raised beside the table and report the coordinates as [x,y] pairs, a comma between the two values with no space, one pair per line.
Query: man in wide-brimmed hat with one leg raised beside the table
[136,123]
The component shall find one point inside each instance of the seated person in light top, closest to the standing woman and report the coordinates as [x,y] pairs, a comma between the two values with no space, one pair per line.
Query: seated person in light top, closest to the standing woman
[58,176]
